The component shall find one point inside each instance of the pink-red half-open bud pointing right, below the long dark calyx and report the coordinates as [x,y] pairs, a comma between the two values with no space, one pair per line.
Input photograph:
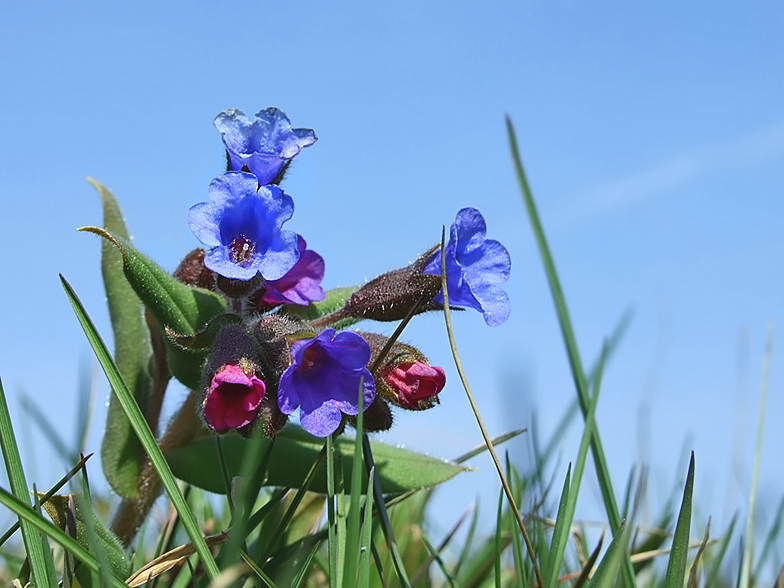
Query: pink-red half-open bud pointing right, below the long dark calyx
[414,385]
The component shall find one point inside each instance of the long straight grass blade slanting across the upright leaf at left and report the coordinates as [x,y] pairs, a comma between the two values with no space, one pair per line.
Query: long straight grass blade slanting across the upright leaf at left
[143,433]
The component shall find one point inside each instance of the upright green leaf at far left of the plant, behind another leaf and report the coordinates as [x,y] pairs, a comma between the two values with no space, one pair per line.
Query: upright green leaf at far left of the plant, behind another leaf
[120,449]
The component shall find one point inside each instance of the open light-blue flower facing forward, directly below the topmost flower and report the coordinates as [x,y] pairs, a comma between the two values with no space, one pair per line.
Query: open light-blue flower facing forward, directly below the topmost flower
[243,223]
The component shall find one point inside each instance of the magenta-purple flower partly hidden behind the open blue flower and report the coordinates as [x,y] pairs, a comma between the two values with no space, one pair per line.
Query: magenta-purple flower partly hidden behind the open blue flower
[301,284]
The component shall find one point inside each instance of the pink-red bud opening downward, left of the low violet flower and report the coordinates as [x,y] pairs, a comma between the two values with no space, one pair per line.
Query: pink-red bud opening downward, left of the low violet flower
[233,399]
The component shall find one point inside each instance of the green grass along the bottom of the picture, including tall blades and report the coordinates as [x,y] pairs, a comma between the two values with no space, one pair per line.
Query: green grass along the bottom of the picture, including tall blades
[356,535]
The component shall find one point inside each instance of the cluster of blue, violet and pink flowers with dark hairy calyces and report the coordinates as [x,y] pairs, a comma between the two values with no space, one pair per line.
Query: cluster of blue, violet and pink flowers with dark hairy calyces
[284,351]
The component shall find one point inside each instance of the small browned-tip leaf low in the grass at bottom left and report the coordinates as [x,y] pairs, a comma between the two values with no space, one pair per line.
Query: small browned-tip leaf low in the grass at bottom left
[64,515]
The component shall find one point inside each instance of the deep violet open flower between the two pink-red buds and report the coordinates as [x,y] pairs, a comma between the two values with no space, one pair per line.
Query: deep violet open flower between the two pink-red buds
[323,380]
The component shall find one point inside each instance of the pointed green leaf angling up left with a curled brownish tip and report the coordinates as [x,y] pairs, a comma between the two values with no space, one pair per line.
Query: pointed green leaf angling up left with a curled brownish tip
[183,309]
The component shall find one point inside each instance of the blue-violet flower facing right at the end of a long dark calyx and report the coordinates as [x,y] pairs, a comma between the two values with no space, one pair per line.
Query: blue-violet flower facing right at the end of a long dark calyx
[474,265]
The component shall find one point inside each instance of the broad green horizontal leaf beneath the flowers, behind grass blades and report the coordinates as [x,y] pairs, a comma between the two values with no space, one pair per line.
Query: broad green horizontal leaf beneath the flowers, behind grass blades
[292,456]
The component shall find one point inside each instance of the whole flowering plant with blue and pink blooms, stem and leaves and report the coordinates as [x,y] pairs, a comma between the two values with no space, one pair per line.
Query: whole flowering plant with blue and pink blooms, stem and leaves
[246,326]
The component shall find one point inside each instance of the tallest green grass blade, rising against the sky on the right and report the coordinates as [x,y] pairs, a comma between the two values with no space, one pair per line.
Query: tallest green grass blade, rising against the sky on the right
[578,374]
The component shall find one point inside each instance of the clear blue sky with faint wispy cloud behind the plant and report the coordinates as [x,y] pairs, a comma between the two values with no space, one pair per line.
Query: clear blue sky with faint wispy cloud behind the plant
[653,137]
